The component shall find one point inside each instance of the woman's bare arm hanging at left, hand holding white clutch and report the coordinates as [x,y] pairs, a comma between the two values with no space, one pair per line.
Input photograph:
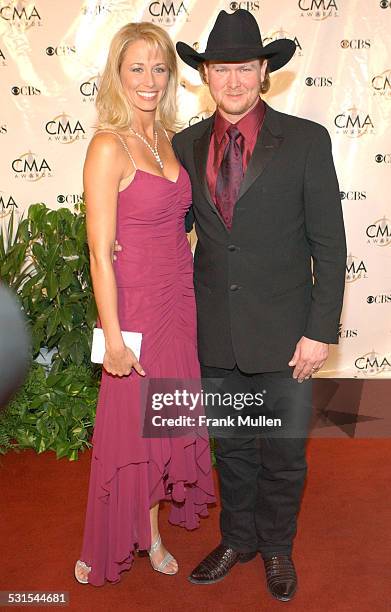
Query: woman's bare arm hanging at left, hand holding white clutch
[103,170]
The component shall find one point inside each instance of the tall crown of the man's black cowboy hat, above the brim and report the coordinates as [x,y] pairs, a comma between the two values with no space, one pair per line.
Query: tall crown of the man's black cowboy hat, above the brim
[238,29]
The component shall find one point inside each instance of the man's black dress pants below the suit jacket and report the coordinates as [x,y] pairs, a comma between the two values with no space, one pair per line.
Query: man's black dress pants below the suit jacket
[262,475]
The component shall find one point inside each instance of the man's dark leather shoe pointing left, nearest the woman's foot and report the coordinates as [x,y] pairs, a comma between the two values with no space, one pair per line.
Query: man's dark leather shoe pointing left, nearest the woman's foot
[217,564]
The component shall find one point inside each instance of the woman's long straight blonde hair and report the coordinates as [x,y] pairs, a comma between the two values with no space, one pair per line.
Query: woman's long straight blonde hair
[114,109]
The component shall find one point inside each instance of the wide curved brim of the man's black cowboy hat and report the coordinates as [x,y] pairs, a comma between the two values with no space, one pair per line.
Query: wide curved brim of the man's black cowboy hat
[278,53]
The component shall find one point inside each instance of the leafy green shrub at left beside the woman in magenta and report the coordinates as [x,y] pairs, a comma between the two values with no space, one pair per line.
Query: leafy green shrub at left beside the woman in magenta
[45,260]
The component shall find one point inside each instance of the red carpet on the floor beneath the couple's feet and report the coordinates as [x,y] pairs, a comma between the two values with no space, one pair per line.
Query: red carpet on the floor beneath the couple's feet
[341,552]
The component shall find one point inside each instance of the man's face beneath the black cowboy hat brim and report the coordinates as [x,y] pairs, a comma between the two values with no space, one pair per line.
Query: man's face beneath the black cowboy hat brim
[235,86]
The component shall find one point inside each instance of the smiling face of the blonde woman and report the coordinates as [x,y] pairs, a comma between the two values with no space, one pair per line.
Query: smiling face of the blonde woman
[144,75]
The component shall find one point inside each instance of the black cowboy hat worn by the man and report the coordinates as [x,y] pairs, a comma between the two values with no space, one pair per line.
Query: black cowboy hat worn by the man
[236,37]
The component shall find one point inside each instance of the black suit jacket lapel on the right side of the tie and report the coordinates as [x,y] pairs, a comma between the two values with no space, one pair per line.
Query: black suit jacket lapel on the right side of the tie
[270,138]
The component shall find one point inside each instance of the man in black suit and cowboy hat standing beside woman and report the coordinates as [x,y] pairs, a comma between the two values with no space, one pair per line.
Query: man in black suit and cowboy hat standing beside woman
[269,276]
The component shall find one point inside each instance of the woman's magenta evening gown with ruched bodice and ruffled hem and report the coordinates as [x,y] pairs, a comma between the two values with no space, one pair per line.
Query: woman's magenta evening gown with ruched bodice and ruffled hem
[129,473]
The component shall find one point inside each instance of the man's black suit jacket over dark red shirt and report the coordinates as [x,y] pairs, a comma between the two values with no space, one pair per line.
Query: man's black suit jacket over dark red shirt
[256,292]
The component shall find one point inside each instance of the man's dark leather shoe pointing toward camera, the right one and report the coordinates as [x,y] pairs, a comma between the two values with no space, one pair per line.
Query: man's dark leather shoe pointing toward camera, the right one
[281,576]
